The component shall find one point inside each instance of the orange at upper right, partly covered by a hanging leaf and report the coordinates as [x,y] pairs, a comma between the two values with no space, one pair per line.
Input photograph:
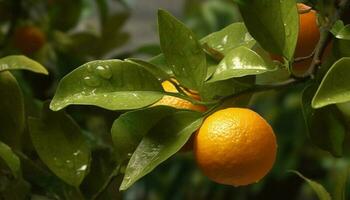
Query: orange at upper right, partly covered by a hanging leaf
[308,37]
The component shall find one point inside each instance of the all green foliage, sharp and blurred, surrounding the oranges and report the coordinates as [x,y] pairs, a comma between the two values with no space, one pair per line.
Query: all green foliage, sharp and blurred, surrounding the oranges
[100,133]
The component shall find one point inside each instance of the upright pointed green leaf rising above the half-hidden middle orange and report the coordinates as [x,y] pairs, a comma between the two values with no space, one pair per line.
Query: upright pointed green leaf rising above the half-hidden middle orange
[182,51]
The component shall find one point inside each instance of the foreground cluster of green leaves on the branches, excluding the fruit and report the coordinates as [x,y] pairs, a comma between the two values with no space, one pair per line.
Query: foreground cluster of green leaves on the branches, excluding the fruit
[223,67]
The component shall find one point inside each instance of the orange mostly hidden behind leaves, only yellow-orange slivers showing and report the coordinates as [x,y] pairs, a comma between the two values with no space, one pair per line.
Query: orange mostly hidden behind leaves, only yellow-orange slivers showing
[178,102]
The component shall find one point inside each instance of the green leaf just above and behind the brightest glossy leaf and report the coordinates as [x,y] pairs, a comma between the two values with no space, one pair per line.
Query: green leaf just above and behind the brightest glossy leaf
[229,38]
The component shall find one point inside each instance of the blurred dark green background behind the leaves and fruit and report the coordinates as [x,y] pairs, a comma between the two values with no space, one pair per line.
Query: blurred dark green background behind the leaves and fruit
[79,31]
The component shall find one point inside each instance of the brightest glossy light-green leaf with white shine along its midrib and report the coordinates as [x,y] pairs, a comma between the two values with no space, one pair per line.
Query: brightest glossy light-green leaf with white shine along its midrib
[239,62]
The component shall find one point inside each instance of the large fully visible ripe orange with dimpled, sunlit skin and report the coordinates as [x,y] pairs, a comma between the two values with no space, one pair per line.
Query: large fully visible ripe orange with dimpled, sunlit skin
[235,146]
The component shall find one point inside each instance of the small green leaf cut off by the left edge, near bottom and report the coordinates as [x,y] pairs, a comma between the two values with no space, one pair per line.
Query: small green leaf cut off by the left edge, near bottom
[11,159]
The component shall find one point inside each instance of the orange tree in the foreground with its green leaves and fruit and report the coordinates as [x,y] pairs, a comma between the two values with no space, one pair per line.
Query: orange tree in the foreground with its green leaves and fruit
[217,73]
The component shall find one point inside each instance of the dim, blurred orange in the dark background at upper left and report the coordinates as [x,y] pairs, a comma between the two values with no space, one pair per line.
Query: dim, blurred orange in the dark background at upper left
[29,39]
